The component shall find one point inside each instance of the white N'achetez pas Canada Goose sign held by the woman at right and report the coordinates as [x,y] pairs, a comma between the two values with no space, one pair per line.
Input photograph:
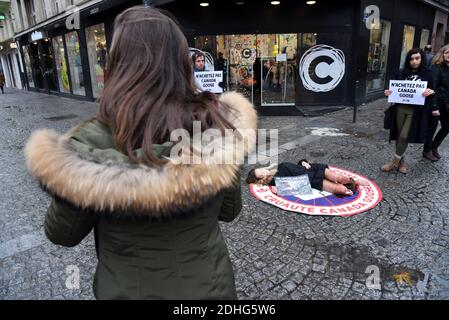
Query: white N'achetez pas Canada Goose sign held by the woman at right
[407,92]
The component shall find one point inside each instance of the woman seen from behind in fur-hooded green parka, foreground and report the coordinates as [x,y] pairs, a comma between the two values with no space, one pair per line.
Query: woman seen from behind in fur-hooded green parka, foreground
[155,220]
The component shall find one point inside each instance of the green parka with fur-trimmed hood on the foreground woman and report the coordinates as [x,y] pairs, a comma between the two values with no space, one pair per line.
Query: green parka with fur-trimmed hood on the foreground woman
[156,230]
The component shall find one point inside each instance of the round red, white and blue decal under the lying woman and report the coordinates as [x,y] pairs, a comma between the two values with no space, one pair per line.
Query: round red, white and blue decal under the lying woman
[324,203]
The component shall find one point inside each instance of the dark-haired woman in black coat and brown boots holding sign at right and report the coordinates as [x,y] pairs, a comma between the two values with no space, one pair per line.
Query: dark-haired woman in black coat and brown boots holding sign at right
[409,122]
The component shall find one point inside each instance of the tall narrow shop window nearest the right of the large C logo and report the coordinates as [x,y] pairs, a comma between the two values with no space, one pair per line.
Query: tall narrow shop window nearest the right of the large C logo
[377,57]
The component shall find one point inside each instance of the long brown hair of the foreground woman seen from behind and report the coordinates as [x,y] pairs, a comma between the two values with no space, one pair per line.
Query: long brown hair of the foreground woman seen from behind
[150,90]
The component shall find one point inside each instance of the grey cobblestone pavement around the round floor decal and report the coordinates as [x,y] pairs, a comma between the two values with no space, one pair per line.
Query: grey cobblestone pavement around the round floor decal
[276,254]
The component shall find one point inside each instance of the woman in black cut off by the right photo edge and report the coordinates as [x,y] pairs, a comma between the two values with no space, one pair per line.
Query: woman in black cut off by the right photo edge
[441,83]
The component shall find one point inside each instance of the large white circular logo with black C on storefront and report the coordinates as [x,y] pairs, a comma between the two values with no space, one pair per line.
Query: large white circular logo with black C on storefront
[329,68]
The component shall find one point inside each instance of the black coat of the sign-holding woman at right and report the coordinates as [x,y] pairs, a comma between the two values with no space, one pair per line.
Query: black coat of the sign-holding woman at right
[421,114]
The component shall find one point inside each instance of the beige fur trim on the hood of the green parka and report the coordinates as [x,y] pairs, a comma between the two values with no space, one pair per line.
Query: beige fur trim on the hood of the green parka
[111,186]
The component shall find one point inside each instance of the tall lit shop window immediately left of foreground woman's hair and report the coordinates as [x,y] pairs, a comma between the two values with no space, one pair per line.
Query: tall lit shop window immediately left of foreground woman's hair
[96,49]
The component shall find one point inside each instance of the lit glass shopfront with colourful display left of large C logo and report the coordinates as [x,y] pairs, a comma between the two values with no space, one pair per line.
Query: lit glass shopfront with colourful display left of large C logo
[261,67]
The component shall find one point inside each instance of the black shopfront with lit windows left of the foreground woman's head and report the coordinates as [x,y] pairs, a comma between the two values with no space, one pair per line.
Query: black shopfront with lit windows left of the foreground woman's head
[70,59]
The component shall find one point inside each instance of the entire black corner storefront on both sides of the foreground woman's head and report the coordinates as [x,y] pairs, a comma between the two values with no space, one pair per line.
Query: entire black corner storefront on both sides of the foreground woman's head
[281,57]
